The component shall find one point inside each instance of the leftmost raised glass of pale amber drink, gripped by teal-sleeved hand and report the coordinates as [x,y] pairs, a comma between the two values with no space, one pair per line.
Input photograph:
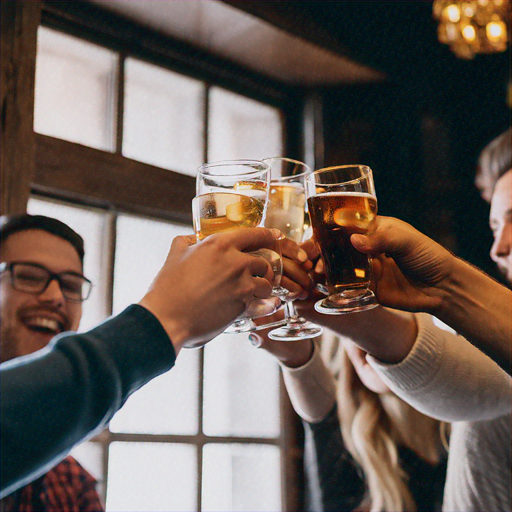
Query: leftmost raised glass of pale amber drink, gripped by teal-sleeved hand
[234,194]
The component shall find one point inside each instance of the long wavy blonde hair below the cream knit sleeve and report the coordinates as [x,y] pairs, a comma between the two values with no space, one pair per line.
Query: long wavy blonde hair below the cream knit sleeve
[373,426]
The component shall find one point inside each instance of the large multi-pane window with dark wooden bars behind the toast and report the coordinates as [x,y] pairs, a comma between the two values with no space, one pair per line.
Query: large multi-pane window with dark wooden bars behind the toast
[209,434]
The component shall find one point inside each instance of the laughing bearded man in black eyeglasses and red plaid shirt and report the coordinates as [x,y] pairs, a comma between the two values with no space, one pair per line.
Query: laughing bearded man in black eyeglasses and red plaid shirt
[42,290]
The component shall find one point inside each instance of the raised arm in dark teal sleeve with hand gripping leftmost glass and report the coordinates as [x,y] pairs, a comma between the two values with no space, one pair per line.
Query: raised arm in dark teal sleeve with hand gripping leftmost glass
[55,398]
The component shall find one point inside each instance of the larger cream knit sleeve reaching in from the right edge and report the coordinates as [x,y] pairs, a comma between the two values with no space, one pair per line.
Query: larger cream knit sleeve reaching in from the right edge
[446,377]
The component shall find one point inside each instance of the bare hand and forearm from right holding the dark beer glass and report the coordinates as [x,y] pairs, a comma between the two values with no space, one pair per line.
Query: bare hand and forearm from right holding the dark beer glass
[414,273]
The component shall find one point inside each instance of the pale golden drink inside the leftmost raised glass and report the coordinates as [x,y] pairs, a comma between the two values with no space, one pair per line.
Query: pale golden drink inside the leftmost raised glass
[220,211]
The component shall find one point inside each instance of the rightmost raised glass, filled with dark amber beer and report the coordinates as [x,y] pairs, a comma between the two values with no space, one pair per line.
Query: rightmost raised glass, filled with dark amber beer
[342,202]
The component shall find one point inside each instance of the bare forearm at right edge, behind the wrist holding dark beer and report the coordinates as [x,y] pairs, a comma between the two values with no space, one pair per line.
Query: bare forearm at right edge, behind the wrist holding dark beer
[480,309]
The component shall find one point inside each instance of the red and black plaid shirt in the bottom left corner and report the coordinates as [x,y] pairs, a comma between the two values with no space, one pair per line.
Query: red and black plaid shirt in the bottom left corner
[68,487]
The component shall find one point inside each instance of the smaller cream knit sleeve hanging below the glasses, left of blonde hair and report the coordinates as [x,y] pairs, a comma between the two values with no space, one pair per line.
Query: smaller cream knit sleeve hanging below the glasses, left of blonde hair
[311,388]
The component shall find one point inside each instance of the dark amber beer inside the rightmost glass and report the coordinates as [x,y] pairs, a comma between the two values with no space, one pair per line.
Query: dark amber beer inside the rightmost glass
[335,217]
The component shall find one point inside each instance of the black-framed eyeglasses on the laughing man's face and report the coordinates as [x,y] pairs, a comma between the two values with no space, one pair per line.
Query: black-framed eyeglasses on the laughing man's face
[34,278]
